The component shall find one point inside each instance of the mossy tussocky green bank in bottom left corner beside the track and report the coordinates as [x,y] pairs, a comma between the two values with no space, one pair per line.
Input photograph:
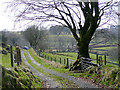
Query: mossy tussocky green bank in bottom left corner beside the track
[19,77]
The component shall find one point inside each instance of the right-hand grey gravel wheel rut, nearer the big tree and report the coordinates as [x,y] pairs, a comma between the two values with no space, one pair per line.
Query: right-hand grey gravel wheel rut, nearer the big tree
[81,83]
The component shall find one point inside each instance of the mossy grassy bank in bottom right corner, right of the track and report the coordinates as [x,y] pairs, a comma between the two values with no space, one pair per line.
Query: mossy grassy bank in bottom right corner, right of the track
[106,75]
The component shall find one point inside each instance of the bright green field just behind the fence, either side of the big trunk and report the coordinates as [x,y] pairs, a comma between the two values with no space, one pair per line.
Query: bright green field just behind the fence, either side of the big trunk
[73,56]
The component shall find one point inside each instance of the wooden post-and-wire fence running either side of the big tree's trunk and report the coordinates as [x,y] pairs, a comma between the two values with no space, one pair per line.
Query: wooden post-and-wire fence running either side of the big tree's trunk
[101,59]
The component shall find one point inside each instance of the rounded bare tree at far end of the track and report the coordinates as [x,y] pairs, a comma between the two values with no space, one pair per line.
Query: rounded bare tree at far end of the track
[35,37]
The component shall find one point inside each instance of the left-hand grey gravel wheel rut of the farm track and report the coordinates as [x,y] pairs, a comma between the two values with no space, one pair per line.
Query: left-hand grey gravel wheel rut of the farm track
[49,83]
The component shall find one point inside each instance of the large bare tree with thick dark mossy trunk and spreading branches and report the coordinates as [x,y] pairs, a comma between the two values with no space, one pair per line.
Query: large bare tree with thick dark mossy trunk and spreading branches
[79,16]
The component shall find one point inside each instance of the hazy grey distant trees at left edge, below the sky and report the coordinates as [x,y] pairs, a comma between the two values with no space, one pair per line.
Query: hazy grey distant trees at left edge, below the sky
[12,38]
